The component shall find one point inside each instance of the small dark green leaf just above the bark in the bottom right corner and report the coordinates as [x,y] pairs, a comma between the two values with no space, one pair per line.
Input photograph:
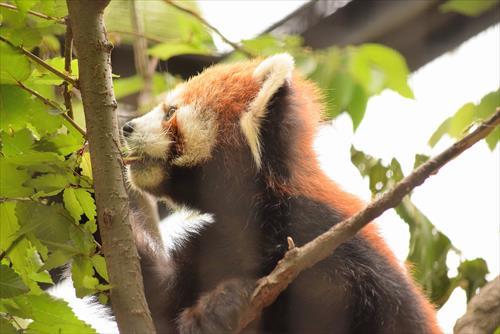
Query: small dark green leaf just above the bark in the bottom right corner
[472,274]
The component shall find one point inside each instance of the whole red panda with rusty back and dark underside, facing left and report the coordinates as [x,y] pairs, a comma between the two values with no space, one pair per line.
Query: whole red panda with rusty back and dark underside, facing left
[236,142]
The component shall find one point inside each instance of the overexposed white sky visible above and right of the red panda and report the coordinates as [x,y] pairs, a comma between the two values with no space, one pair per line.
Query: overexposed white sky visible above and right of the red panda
[463,199]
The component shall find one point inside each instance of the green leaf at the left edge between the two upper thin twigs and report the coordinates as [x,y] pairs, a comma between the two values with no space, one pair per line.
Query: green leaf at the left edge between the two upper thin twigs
[15,66]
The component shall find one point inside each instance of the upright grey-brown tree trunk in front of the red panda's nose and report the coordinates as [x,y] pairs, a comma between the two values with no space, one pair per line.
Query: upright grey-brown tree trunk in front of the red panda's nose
[113,212]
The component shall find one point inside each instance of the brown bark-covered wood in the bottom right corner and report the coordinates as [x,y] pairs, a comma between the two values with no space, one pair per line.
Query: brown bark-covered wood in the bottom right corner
[483,311]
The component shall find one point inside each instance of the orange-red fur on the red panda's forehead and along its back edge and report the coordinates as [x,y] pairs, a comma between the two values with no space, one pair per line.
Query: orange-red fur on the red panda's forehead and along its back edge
[228,90]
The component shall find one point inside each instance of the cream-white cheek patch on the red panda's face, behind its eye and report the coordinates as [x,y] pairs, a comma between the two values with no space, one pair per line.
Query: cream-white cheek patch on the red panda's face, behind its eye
[198,131]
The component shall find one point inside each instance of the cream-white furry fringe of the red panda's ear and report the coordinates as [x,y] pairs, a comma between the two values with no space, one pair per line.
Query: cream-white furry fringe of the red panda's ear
[271,74]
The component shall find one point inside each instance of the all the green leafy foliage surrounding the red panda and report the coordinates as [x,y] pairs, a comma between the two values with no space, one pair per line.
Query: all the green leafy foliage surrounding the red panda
[47,210]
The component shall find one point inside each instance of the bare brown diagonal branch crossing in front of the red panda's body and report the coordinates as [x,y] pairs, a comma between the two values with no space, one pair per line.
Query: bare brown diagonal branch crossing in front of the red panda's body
[300,258]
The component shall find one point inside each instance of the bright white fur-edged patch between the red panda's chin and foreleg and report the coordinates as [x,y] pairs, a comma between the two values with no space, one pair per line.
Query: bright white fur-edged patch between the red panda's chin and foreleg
[177,228]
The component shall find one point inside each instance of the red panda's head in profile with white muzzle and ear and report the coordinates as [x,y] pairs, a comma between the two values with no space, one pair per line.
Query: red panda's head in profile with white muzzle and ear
[225,106]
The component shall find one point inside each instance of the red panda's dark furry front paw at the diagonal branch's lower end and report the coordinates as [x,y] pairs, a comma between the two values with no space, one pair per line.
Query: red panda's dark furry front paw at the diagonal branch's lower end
[219,311]
